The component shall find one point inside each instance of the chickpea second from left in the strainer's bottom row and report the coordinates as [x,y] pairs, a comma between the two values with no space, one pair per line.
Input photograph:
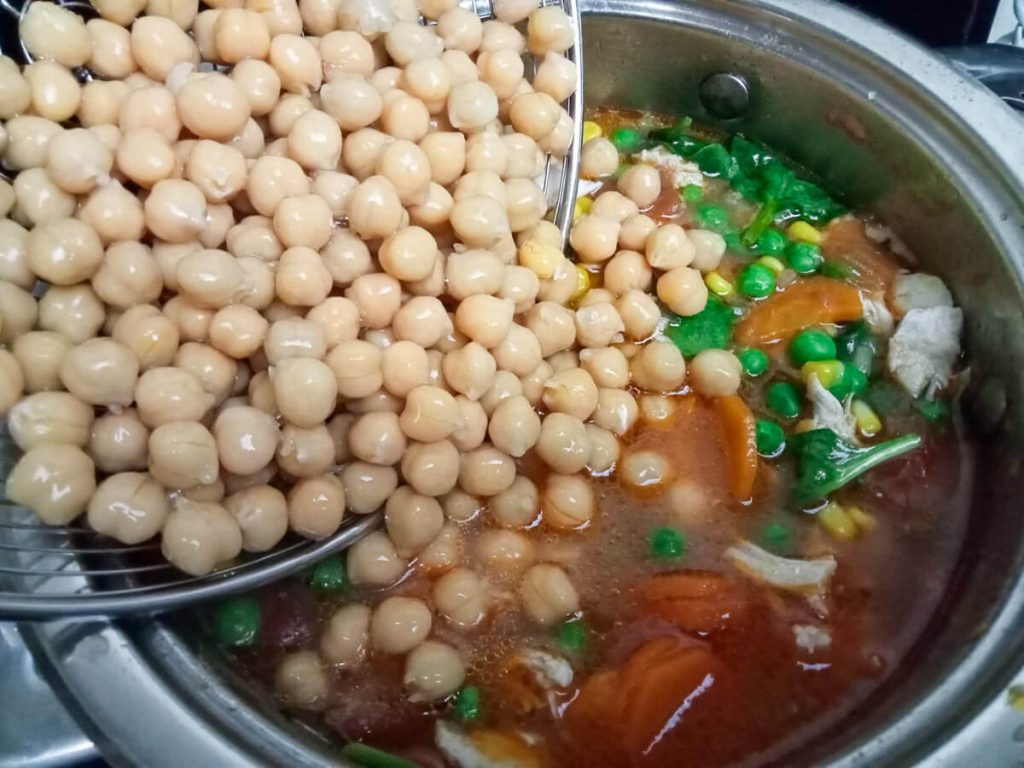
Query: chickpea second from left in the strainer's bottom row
[130,507]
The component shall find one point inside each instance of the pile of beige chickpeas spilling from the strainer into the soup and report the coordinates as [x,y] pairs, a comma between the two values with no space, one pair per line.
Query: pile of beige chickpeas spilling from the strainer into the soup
[276,263]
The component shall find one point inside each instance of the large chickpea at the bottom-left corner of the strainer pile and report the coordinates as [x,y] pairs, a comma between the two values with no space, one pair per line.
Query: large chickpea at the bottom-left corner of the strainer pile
[55,481]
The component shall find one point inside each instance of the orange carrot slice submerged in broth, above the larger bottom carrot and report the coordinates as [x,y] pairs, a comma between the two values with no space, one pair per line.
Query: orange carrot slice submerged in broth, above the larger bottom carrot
[694,601]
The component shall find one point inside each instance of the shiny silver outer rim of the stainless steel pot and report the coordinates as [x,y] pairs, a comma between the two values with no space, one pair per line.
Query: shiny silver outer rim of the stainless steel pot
[147,699]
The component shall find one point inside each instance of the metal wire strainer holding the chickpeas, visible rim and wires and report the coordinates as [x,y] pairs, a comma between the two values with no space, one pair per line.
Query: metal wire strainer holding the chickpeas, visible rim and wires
[48,573]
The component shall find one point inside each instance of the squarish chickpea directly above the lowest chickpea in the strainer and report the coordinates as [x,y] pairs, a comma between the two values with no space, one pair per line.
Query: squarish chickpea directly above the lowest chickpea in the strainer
[183,455]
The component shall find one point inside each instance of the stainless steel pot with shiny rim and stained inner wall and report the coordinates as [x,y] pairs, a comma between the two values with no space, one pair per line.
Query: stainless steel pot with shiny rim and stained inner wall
[902,134]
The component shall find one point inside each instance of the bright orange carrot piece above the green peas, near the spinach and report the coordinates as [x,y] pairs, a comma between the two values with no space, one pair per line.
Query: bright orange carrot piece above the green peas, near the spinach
[814,302]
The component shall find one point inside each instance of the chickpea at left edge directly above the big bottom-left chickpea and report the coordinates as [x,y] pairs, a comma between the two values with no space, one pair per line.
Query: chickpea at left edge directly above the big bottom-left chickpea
[50,418]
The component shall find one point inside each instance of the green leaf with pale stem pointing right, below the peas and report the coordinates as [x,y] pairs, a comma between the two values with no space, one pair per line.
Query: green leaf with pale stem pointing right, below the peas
[828,462]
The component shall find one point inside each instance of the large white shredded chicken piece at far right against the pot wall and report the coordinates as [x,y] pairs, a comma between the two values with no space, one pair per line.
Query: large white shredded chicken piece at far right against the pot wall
[925,348]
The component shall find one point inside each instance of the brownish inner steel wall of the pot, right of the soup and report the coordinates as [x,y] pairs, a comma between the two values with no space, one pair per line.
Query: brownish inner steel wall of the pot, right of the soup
[889,150]
